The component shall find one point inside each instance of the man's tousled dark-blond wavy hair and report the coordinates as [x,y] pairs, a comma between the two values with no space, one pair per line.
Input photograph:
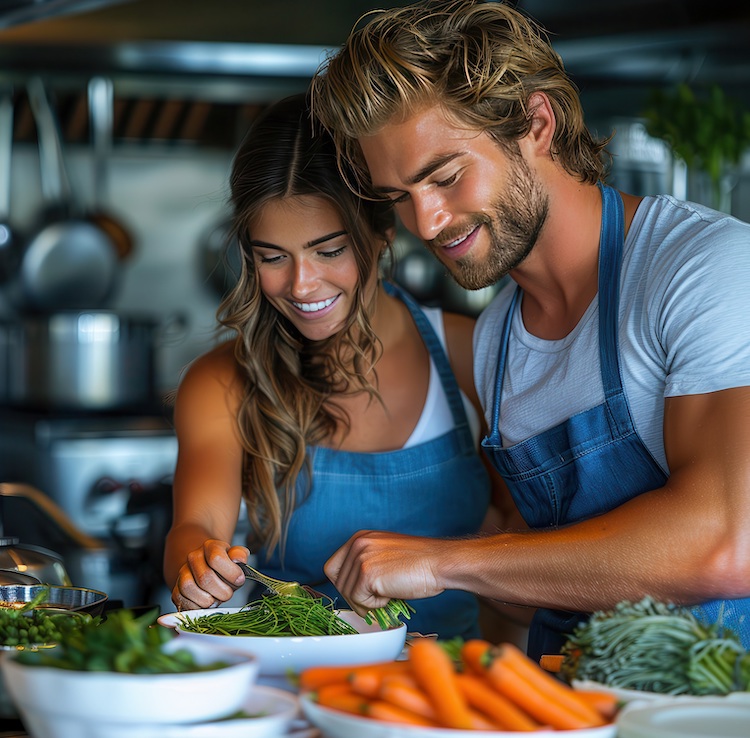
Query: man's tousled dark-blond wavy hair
[480,61]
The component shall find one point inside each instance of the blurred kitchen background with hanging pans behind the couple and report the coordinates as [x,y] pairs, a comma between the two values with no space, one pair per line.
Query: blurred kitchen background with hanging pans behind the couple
[124,115]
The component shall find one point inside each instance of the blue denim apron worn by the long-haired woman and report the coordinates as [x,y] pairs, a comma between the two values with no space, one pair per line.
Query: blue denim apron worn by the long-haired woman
[439,488]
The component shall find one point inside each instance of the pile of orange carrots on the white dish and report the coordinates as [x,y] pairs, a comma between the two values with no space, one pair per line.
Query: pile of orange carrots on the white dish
[493,687]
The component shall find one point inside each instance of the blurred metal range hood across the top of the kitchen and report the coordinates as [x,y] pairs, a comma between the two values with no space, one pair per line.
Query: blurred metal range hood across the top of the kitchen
[249,52]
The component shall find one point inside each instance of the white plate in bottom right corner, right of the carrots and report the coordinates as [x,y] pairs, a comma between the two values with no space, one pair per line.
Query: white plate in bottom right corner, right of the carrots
[700,717]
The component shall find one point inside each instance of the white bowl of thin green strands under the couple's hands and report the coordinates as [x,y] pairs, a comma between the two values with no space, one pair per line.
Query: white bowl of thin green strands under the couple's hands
[280,655]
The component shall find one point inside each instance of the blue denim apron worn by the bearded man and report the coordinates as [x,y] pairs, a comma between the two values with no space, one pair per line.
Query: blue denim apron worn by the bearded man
[592,462]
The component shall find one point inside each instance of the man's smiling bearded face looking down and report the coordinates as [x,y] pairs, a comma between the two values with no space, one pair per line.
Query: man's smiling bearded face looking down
[476,206]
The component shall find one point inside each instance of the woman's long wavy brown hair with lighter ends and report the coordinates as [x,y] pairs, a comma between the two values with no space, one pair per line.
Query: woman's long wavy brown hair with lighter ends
[290,382]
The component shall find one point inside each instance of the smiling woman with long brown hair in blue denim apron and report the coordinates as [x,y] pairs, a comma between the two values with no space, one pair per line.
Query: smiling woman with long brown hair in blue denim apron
[333,406]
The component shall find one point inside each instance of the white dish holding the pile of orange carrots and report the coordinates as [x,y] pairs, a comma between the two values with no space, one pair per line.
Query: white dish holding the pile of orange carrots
[335,724]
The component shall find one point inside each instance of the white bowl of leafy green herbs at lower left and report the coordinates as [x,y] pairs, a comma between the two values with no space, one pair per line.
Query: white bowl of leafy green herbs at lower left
[59,703]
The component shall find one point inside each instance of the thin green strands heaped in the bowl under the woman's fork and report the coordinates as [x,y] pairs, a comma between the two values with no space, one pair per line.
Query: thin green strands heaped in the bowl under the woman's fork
[274,615]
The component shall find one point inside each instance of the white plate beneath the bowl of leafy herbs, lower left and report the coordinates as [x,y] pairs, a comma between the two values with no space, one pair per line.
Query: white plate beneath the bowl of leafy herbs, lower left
[273,711]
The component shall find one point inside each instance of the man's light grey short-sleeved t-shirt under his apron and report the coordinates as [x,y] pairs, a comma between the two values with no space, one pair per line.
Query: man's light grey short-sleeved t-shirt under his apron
[684,328]
